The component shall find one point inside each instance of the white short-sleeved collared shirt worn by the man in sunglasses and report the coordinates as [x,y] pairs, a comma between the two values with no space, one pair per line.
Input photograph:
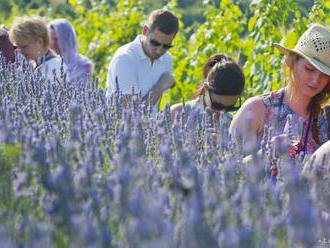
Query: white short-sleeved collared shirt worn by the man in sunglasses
[133,68]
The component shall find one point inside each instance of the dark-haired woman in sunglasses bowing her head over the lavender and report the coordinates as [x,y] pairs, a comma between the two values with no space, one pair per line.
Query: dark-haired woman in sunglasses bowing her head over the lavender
[221,89]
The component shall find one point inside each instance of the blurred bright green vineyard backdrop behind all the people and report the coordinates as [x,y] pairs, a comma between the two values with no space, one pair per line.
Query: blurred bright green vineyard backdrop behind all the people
[243,29]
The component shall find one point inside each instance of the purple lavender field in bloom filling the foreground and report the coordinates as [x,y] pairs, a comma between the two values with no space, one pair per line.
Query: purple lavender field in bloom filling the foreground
[79,170]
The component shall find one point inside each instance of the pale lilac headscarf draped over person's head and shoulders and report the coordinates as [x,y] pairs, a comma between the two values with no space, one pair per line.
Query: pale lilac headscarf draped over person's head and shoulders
[79,67]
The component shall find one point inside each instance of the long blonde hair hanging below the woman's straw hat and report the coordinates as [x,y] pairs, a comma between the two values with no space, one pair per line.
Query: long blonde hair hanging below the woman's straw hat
[289,70]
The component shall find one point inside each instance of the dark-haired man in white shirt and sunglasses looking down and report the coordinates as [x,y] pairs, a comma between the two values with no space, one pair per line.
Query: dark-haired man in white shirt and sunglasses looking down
[144,64]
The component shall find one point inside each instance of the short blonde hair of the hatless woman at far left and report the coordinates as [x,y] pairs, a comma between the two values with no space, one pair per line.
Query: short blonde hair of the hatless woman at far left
[28,29]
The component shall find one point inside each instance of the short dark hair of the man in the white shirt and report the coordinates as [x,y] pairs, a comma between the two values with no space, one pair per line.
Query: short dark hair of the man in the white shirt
[164,21]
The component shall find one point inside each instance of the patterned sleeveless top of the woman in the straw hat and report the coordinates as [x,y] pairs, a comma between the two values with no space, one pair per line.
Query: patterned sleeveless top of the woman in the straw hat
[276,112]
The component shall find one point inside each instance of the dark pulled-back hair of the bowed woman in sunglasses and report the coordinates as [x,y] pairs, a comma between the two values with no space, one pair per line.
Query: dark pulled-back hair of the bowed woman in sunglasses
[224,75]
